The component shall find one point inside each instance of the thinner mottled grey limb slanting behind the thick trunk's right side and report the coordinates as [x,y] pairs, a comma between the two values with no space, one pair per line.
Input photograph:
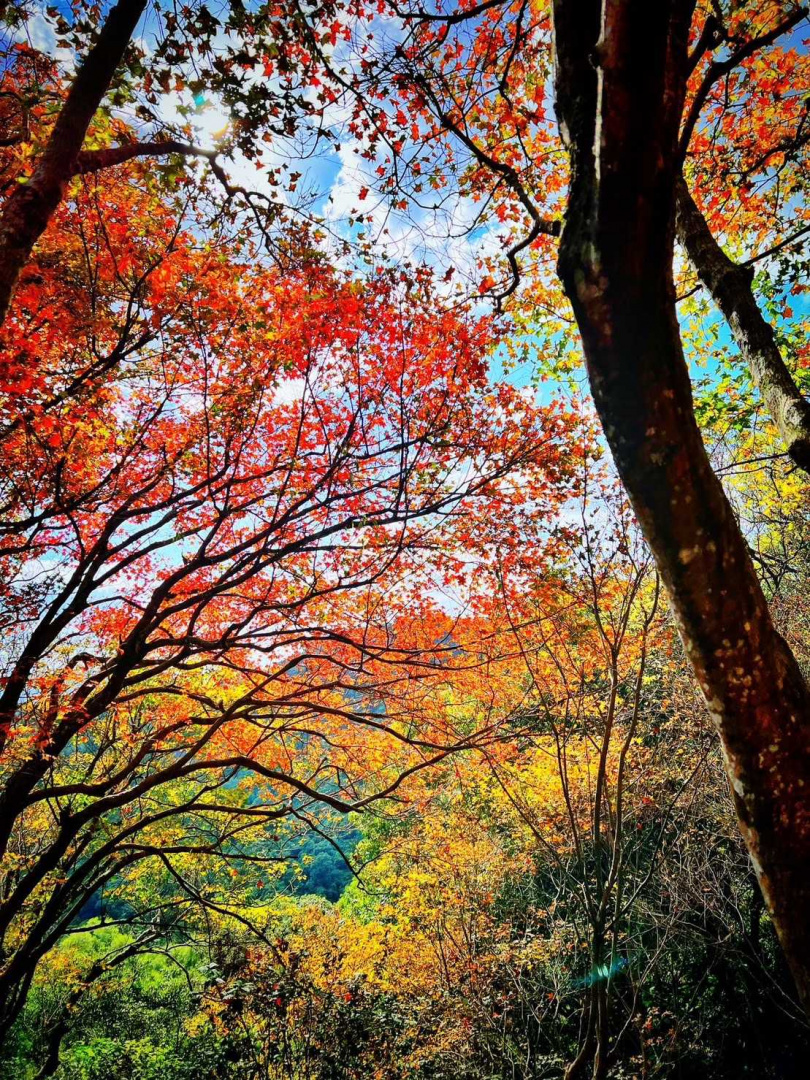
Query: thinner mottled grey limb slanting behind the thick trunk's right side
[730,285]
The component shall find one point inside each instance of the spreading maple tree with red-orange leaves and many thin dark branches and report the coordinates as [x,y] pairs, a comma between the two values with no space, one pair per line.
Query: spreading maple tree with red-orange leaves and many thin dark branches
[228,495]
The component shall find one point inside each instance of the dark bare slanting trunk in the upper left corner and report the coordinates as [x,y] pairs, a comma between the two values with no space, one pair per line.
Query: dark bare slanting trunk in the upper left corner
[30,209]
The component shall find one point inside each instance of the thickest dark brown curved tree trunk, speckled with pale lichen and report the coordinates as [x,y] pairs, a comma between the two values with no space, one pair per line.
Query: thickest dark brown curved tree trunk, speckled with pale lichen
[620,75]
